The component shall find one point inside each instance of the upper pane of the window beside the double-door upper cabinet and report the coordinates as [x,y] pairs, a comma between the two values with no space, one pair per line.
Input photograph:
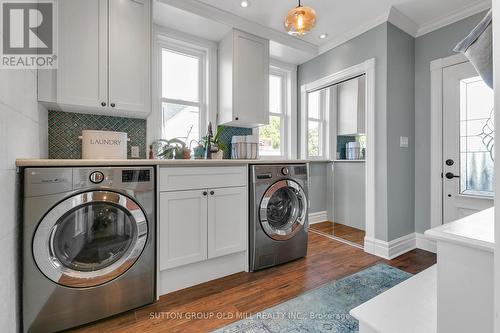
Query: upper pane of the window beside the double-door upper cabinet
[180,76]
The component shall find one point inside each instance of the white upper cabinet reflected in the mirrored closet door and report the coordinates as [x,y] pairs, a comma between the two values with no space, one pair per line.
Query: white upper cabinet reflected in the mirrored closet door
[351,107]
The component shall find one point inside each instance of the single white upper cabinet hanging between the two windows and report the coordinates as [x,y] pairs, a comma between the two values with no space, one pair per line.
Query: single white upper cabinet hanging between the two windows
[244,80]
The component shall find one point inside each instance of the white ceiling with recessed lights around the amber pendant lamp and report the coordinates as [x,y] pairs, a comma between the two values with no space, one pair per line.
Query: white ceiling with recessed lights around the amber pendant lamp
[340,19]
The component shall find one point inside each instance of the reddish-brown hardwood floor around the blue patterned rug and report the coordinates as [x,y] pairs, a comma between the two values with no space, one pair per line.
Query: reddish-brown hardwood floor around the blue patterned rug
[246,293]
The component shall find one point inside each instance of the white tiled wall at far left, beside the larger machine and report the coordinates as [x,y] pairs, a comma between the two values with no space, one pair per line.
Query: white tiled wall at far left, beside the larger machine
[23,133]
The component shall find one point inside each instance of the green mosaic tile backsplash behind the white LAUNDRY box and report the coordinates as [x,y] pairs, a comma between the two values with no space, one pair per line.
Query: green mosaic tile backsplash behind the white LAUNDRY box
[65,128]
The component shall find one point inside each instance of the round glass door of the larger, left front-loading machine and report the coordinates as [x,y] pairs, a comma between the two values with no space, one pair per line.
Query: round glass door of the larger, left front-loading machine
[90,239]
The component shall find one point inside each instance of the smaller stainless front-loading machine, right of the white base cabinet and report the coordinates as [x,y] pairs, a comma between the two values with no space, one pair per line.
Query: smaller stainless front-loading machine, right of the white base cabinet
[278,214]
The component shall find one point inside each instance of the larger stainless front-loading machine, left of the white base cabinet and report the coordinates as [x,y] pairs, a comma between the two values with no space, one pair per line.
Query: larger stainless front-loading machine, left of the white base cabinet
[88,244]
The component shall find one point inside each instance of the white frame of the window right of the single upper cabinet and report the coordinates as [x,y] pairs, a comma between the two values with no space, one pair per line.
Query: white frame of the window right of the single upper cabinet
[288,132]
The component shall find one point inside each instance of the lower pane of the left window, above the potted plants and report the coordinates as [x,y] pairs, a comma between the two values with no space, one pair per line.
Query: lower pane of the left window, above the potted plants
[181,121]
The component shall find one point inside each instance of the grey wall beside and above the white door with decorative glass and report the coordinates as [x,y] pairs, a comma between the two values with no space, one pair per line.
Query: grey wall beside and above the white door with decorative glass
[432,46]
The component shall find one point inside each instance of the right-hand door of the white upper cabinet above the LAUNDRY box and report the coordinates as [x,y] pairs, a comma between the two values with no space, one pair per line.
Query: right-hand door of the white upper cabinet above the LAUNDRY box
[129,55]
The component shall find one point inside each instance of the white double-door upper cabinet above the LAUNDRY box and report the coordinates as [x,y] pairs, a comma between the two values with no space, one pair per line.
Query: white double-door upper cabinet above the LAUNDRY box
[104,58]
